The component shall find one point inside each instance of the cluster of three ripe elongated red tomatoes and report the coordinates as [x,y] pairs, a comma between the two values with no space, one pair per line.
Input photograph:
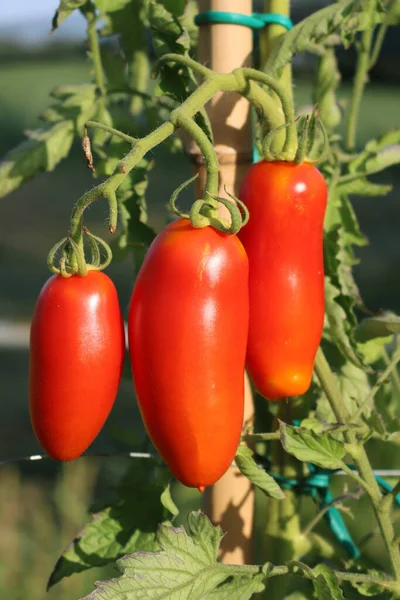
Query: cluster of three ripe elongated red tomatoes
[205,305]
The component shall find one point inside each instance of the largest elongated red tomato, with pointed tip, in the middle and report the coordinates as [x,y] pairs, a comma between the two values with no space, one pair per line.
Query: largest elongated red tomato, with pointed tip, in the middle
[188,323]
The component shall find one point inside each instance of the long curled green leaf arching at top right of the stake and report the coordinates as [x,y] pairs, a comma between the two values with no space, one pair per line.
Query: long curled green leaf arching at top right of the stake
[344,18]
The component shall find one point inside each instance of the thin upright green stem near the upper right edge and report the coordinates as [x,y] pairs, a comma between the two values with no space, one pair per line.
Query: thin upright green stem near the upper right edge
[360,80]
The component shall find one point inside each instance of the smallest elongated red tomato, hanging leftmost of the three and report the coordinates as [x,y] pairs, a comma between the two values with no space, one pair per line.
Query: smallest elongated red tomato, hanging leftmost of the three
[76,357]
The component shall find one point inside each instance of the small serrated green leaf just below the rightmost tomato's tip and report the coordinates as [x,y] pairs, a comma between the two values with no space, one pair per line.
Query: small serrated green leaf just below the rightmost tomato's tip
[306,446]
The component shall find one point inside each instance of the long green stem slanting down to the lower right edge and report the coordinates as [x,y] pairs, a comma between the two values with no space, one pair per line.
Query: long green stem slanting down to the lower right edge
[361,461]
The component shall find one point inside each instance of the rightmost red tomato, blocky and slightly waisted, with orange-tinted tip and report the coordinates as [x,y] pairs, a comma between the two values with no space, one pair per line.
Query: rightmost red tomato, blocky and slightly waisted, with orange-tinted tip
[283,241]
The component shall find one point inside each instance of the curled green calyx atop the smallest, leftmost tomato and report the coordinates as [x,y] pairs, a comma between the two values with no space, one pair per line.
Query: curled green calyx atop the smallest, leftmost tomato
[72,260]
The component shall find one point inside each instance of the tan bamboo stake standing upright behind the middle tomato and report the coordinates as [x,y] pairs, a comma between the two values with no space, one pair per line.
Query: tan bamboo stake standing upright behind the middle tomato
[223,48]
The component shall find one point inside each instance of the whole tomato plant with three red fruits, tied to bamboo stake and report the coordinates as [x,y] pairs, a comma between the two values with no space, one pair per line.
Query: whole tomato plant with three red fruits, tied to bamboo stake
[213,287]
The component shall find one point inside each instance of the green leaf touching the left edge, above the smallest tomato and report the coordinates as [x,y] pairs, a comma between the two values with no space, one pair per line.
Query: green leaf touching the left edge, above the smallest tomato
[44,149]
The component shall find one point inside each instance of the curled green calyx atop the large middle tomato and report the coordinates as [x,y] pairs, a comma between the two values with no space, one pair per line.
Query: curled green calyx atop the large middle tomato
[205,212]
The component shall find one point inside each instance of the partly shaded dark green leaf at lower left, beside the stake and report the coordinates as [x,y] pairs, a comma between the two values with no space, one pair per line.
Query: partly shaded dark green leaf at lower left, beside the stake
[126,524]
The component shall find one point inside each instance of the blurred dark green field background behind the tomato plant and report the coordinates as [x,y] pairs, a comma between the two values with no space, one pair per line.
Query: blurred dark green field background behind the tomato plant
[42,504]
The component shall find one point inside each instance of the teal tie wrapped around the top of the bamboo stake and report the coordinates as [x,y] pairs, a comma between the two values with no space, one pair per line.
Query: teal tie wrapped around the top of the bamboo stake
[254,21]
